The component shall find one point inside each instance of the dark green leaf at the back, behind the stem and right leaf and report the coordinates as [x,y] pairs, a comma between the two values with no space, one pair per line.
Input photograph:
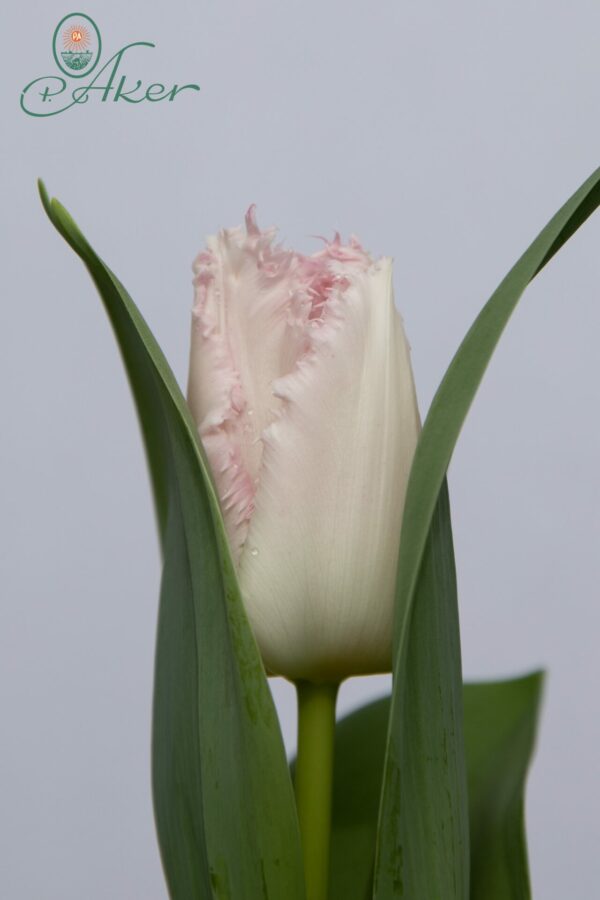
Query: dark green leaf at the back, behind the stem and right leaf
[499,725]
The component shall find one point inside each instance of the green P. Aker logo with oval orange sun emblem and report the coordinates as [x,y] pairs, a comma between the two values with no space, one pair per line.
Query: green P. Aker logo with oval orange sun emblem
[77,50]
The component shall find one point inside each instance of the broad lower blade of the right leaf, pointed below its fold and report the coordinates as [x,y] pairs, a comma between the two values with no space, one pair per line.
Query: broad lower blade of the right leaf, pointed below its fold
[423,847]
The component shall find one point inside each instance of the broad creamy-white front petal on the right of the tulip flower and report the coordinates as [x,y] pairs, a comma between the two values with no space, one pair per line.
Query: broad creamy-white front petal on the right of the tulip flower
[318,567]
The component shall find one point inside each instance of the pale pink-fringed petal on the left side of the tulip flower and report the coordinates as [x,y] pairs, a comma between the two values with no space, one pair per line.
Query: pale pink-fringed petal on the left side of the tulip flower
[244,336]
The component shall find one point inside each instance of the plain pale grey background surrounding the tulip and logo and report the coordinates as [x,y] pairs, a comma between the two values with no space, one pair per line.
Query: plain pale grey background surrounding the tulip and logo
[444,135]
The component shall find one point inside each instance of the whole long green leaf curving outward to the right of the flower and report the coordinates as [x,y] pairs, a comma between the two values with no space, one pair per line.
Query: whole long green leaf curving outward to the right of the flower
[423,833]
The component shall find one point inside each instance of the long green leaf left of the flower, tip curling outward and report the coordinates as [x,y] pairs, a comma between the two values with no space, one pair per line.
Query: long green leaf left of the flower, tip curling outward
[223,797]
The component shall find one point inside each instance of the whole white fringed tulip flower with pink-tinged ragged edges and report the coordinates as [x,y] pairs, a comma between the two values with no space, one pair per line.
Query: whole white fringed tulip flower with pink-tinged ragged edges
[302,389]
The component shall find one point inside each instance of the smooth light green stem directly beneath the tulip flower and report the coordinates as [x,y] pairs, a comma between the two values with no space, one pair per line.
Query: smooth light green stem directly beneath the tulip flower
[314,776]
